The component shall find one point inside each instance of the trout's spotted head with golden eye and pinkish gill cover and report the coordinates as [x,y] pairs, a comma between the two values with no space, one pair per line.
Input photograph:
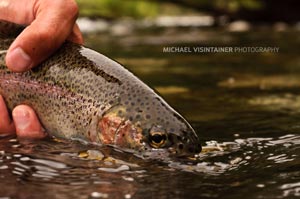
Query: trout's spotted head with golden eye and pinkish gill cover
[148,131]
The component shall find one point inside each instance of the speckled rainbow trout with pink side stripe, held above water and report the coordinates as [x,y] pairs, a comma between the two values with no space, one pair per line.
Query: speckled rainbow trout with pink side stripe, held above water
[80,94]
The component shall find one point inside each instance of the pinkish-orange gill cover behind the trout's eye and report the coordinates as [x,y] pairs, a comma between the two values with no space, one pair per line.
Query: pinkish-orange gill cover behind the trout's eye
[120,132]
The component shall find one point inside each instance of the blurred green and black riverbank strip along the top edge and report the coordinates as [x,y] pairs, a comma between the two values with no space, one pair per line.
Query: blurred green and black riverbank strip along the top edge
[250,10]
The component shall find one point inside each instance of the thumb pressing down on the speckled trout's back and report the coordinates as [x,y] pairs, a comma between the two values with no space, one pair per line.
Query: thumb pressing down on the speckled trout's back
[40,39]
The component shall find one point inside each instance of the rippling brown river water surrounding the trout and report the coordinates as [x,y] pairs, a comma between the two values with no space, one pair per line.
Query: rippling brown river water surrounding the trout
[245,108]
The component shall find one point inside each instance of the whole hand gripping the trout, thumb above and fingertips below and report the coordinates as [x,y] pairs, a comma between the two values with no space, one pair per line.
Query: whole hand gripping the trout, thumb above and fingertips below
[50,23]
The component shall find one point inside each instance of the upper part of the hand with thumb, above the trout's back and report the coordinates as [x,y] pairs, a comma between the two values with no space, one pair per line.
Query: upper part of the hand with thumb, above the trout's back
[49,22]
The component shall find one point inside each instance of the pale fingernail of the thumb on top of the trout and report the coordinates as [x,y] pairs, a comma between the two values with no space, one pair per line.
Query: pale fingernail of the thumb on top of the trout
[21,61]
